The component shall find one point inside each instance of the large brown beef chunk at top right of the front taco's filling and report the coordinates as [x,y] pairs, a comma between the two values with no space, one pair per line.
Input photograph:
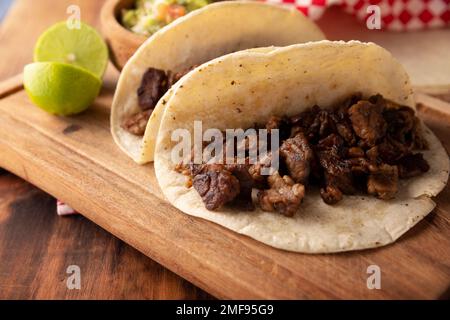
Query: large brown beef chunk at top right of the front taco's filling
[368,122]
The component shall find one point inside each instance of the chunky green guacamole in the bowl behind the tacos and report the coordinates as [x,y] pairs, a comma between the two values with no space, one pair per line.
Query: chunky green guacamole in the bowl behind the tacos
[148,16]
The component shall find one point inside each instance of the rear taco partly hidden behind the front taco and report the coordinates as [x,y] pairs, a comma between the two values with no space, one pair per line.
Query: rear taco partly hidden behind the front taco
[217,29]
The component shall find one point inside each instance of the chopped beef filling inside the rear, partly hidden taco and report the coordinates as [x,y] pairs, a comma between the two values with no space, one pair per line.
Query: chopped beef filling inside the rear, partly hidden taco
[154,85]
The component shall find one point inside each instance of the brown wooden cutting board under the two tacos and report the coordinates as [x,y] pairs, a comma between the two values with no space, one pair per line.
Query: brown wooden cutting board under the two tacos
[76,160]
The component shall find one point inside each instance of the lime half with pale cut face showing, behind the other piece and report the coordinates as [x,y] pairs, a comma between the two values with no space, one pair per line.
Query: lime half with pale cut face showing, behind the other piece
[82,47]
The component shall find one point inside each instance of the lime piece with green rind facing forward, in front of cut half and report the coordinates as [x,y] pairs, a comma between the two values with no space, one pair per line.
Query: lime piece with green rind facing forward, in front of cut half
[60,88]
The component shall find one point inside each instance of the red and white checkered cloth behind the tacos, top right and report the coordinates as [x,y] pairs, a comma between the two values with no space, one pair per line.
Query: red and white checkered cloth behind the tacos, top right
[396,15]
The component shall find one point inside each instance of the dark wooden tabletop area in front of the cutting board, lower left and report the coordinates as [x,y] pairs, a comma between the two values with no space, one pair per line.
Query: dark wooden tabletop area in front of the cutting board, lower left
[36,248]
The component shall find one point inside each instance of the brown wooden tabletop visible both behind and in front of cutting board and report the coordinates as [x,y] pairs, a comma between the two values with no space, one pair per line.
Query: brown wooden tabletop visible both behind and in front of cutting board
[37,246]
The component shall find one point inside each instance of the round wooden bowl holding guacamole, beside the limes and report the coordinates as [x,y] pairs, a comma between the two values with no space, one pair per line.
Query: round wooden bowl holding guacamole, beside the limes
[122,42]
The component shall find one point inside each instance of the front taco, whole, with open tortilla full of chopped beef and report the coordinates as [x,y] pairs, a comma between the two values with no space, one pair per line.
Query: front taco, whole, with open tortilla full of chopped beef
[357,168]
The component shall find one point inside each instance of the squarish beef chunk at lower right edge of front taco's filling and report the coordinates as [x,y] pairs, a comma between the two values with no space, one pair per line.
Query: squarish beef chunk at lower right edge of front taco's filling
[383,181]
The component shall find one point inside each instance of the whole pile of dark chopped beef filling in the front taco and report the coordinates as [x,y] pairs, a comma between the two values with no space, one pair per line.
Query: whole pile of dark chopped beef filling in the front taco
[359,146]
